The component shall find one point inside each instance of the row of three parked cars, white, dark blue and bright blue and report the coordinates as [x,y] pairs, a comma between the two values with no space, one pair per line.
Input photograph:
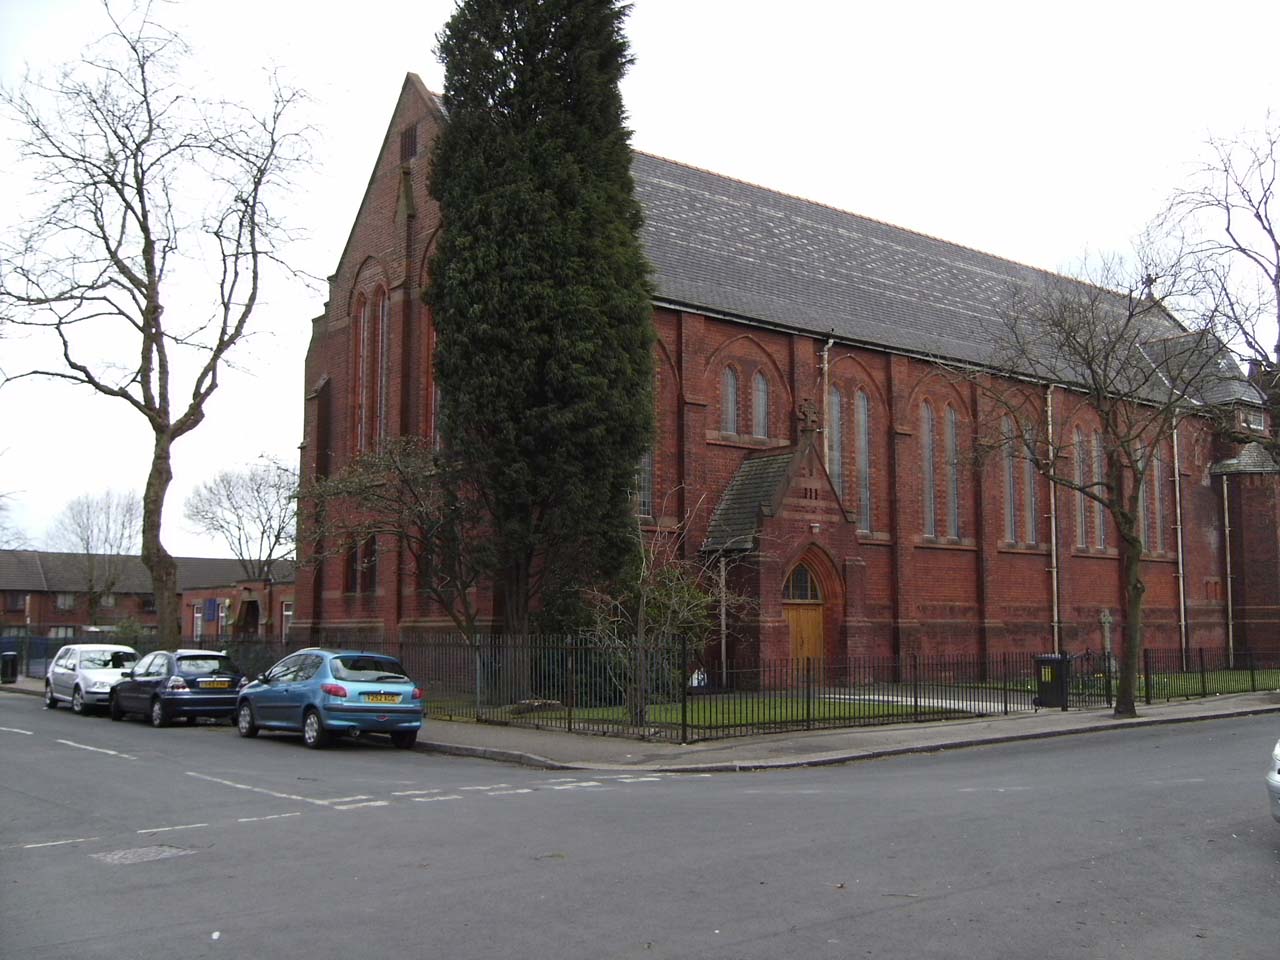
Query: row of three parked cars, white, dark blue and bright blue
[318,693]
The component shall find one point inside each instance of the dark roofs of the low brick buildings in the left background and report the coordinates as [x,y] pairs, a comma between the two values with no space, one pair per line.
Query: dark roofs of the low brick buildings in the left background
[43,572]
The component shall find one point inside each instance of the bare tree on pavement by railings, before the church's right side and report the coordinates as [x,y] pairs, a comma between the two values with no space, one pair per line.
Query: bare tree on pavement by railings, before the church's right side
[1113,356]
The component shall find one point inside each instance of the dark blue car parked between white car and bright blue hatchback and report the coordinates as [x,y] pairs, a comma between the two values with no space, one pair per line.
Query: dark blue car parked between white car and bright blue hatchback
[181,684]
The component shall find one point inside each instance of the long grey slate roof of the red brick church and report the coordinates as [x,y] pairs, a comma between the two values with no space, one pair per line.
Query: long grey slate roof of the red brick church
[748,253]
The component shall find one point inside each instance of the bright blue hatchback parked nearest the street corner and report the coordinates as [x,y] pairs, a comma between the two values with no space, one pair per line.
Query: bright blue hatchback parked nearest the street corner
[333,693]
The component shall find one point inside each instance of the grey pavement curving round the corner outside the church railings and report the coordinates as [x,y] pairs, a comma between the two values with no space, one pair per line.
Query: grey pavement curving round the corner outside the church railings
[550,749]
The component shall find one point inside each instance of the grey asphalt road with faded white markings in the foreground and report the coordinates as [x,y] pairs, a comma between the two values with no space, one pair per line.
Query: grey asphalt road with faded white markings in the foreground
[125,842]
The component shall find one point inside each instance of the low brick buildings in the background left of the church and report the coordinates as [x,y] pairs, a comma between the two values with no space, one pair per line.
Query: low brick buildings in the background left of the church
[62,596]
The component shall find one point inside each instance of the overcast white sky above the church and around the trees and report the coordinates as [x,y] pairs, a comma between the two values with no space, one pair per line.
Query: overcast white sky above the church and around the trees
[1032,131]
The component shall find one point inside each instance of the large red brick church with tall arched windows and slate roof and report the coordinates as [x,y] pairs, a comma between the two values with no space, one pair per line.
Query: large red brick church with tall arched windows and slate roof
[807,435]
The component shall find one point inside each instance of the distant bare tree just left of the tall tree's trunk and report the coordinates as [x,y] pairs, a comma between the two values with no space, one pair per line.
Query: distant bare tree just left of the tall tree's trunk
[103,533]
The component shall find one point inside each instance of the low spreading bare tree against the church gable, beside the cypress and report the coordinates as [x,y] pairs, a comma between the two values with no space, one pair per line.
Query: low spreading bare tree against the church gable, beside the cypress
[408,492]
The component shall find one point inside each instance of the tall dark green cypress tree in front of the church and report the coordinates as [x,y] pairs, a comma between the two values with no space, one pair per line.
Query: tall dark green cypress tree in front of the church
[540,290]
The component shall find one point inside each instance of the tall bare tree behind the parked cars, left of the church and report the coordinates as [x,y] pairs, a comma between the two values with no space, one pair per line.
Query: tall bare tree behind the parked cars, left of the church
[143,175]
